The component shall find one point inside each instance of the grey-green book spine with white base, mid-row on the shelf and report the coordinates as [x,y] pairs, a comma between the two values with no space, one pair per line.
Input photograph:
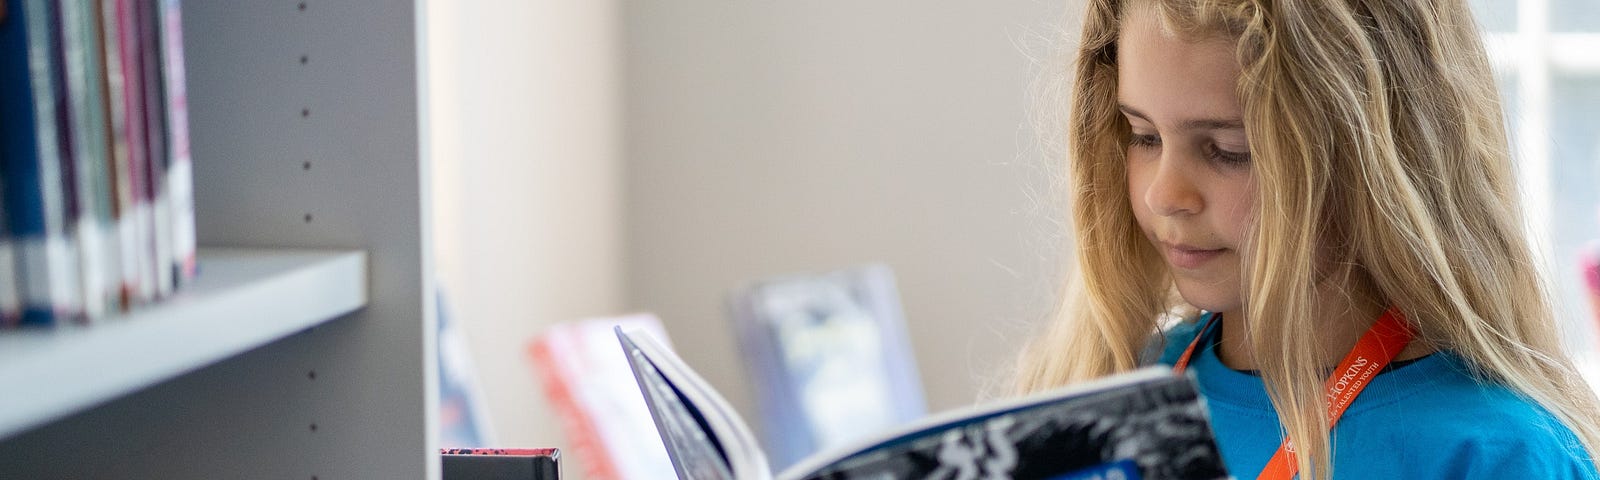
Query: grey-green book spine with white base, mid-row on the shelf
[90,158]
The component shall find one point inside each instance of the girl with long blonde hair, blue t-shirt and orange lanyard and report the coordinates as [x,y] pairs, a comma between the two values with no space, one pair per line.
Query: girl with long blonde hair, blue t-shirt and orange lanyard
[1281,175]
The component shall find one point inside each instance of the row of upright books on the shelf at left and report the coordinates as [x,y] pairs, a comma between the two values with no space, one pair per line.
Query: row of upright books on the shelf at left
[97,194]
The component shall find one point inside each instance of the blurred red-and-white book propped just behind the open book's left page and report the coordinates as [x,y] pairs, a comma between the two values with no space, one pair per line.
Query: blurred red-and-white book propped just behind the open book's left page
[591,388]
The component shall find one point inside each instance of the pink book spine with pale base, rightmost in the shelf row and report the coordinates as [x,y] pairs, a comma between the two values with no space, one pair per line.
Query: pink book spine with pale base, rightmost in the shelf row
[180,172]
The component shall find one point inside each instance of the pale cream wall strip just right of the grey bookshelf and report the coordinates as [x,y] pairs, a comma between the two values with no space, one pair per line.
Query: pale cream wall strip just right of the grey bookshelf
[527,183]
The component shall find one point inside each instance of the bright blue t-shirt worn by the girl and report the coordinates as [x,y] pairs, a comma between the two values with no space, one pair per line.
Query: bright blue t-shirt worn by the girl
[1425,420]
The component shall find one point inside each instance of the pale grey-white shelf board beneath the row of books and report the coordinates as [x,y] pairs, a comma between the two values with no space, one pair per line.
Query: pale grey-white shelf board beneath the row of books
[244,300]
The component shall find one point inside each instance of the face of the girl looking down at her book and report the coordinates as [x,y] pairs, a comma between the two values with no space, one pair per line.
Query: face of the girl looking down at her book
[1190,170]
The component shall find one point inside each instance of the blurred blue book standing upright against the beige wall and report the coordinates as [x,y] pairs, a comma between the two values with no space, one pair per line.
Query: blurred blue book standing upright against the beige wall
[830,359]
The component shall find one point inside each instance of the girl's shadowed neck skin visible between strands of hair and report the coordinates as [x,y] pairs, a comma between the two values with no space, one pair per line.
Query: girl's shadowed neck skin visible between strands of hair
[1342,321]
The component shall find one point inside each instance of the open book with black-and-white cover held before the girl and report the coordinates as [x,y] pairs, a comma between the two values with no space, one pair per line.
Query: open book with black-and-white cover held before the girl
[1142,425]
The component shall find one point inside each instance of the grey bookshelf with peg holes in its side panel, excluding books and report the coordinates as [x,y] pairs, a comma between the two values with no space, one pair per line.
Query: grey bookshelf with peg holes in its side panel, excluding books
[308,348]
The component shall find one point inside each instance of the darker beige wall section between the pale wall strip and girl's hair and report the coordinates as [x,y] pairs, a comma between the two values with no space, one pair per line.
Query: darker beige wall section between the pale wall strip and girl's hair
[791,137]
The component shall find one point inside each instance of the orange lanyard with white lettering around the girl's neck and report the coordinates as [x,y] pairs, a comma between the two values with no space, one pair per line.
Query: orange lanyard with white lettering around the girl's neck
[1377,348]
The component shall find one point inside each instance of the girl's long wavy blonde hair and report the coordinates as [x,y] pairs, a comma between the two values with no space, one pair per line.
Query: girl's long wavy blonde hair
[1377,135]
